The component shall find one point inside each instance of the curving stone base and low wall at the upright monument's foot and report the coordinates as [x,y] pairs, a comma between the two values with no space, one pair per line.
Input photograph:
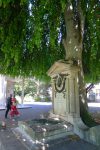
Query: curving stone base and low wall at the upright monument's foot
[91,135]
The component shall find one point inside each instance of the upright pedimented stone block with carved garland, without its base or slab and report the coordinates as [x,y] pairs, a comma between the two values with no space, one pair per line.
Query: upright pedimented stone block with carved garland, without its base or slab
[65,91]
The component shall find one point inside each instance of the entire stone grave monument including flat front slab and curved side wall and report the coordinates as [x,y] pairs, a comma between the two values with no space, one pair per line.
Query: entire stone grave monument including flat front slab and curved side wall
[66,109]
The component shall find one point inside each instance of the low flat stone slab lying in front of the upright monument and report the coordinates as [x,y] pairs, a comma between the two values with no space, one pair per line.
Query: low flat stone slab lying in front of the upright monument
[46,129]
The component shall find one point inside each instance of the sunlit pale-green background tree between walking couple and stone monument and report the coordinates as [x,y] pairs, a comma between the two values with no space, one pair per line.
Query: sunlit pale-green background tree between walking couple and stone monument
[32,87]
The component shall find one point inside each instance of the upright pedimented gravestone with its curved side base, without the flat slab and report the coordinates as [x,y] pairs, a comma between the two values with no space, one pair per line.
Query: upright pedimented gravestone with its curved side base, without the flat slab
[65,99]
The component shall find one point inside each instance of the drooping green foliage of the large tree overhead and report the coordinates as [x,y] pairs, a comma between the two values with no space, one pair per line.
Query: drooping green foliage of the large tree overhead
[31,34]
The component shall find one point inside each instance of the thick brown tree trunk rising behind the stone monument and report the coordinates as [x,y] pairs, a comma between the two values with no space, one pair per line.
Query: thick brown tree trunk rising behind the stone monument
[73,46]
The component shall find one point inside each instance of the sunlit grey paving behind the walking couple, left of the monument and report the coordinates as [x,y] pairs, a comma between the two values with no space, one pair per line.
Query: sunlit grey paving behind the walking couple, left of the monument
[30,111]
